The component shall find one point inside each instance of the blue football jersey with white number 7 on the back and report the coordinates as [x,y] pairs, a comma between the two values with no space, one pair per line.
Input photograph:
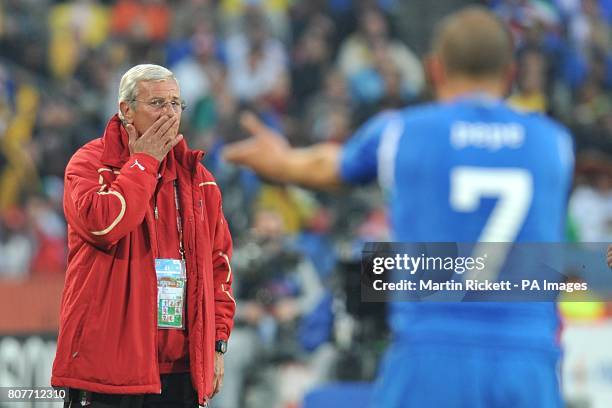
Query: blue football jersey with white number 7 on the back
[466,171]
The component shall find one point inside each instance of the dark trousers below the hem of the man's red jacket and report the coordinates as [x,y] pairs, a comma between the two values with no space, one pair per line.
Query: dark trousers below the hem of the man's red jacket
[177,392]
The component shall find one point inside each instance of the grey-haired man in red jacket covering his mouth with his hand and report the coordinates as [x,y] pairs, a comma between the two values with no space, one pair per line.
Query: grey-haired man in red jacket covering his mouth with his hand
[147,307]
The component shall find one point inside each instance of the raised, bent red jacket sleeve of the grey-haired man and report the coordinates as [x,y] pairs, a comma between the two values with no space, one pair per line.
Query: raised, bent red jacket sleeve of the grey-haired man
[102,213]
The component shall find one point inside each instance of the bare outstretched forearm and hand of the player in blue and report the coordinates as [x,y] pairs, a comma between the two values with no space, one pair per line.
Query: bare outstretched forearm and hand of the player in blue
[271,157]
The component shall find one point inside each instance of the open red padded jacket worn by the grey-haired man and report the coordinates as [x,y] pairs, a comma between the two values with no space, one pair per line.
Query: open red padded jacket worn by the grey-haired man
[108,324]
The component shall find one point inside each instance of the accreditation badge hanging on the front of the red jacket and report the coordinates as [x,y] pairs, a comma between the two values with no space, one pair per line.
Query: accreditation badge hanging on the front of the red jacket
[171,282]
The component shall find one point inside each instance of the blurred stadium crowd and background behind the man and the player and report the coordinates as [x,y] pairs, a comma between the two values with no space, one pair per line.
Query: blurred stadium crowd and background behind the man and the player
[315,70]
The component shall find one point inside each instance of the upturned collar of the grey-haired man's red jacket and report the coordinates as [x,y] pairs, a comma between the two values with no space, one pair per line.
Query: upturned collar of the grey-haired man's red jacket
[116,151]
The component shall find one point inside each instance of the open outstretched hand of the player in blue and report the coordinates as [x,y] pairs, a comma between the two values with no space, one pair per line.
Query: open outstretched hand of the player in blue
[262,152]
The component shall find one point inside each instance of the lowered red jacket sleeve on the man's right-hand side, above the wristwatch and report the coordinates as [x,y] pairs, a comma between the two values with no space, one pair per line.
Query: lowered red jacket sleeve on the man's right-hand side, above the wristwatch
[225,305]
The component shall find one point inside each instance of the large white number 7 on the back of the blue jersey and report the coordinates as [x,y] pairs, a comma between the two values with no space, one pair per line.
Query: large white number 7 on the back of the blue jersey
[512,187]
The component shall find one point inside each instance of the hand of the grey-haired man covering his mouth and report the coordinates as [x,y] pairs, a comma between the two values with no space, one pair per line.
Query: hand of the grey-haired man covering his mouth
[158,140]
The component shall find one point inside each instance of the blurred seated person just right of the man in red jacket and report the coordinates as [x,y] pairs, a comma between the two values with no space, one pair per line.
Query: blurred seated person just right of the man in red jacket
[275,286]
